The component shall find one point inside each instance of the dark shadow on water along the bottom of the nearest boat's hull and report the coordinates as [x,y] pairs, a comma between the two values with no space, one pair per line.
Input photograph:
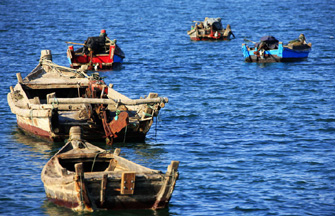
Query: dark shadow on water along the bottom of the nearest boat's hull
[50,208]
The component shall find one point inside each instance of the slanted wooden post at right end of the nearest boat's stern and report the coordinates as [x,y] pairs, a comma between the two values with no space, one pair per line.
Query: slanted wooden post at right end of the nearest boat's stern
[171,176]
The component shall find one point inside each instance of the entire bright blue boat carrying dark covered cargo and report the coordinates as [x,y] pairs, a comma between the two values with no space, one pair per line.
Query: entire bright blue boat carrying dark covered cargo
[271,50]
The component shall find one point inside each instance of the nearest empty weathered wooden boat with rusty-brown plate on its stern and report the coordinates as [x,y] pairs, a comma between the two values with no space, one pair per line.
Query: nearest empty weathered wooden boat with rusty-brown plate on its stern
[85,177]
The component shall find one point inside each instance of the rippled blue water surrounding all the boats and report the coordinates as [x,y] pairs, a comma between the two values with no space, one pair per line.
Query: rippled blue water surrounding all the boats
[252,139]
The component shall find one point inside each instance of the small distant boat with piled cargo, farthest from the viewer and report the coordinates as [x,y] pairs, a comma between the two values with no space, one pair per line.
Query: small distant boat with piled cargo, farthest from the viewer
[210,29]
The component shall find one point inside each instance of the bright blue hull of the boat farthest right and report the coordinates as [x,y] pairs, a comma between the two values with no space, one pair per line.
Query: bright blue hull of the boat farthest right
[282,54]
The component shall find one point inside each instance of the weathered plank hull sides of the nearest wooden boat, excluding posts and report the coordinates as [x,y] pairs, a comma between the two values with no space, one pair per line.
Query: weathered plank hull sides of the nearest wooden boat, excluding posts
[144,197]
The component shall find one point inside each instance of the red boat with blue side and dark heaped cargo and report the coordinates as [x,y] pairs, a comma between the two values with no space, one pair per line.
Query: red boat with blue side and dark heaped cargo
[97,52]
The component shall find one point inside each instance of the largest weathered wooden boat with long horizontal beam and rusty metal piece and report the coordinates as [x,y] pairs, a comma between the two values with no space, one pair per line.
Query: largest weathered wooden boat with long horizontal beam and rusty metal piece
[53,98]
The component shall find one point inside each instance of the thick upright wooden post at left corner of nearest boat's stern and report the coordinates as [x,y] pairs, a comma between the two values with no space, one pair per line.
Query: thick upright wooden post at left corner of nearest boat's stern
[84,202]
